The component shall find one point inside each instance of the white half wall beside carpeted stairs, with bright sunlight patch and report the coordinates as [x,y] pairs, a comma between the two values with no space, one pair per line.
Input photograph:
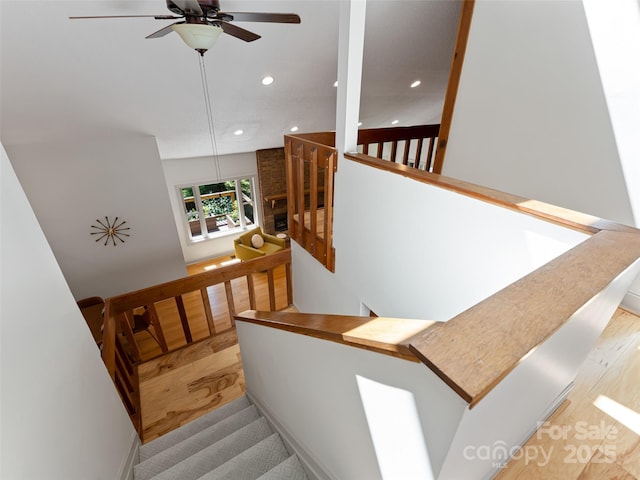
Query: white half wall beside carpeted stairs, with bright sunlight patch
[324,408]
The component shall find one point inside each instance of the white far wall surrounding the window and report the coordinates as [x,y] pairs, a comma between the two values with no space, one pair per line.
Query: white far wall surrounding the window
[199,170]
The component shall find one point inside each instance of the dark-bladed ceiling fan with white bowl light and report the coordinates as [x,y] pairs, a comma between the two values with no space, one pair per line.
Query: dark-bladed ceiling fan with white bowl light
[203,22]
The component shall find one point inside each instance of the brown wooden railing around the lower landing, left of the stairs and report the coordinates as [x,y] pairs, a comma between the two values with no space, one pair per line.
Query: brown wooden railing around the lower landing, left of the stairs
[121,352]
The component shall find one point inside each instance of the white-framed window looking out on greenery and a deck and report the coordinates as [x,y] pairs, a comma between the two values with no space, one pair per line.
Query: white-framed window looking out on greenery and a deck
[214,208]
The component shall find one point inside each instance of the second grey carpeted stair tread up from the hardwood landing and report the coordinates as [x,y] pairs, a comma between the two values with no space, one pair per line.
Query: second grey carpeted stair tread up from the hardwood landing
[167,458]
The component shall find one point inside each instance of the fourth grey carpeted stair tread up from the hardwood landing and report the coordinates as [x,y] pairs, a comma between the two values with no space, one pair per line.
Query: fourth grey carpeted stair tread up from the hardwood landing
[253,462]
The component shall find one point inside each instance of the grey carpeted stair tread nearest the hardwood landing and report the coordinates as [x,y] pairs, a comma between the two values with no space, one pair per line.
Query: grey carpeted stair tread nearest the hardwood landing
[156,446]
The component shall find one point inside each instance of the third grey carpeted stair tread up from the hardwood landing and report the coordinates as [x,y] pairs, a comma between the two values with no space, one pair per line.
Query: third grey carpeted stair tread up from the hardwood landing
[218,453]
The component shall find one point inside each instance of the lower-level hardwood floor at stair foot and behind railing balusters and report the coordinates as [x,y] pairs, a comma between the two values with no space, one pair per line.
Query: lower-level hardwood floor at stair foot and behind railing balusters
[181,386]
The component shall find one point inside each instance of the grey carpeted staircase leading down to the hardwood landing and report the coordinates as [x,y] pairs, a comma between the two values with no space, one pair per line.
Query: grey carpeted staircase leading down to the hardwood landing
[232,442]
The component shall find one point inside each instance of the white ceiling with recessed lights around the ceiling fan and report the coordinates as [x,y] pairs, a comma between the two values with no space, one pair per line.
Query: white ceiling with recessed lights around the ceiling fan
[65,80]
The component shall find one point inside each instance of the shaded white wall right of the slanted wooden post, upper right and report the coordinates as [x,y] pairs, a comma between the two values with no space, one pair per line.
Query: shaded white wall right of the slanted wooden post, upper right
[530,116]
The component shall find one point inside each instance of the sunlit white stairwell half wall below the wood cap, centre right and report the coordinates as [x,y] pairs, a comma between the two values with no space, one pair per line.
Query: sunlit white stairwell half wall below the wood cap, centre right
[410,250]
